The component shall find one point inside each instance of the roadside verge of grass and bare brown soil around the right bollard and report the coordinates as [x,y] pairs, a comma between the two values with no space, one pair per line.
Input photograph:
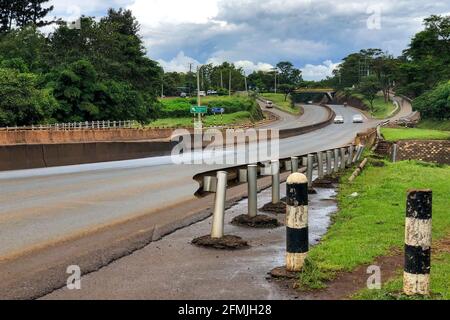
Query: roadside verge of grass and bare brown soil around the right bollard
[369,230]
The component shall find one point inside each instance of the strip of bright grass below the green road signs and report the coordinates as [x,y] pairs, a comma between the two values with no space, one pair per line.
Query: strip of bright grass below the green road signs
[238,118]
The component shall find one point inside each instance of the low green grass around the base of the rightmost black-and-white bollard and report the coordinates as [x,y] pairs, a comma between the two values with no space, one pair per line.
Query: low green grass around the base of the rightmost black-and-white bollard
[392,289]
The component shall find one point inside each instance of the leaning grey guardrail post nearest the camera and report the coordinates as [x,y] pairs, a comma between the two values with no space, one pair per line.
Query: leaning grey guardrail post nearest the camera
[217,231]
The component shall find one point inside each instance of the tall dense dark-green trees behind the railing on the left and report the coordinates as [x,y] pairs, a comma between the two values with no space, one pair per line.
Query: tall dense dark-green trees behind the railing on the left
[98,72]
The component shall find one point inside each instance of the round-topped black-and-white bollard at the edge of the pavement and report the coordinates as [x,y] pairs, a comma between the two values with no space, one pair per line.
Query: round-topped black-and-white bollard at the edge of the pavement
[297,233]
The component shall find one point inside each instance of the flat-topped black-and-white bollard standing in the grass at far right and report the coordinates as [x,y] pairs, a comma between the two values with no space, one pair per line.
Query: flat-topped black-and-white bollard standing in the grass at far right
[418,237]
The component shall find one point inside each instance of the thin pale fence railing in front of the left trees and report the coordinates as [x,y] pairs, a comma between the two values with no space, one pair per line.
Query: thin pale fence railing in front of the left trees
[74,126]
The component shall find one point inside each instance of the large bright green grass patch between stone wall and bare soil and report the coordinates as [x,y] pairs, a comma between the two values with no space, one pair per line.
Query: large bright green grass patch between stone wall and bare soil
[372,224]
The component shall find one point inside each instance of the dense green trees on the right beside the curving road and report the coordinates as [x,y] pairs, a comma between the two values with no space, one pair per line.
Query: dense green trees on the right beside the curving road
[422,72]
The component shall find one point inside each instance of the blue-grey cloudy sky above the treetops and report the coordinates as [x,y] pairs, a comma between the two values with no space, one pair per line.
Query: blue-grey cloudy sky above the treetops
[256,34]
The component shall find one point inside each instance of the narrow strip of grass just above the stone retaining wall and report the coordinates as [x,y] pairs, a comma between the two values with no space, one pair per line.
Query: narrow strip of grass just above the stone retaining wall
[392,134]
